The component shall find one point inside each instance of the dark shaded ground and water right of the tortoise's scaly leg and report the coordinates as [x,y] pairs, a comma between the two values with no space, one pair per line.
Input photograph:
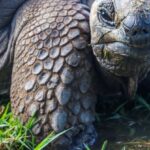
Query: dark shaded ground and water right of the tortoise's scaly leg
[125,126]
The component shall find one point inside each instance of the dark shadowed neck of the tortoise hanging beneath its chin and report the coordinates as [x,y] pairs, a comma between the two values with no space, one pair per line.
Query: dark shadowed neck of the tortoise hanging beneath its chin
[126,86]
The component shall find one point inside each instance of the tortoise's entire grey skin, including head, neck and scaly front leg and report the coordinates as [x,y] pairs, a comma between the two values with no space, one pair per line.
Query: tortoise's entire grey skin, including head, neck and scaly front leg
[53,67]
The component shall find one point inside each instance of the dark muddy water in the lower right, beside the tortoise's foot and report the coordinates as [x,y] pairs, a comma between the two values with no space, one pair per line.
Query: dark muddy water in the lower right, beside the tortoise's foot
[124,133]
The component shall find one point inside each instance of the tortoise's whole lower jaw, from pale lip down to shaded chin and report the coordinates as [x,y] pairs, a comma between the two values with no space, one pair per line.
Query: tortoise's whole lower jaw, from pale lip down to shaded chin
[122,59]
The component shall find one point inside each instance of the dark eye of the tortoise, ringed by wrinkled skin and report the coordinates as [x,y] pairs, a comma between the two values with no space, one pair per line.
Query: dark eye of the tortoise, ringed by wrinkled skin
[106,16]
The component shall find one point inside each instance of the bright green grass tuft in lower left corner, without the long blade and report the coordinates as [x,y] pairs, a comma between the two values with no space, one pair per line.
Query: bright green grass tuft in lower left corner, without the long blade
[14,135]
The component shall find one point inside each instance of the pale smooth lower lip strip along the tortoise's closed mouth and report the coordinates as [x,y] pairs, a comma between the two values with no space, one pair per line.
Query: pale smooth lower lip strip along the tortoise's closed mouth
[141,52]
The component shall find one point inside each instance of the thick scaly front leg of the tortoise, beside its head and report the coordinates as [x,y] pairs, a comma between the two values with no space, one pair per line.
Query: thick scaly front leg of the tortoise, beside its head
[52,68]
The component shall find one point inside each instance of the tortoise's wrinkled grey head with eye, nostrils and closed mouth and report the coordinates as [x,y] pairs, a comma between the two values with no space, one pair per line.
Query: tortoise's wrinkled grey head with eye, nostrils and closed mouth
[120,36]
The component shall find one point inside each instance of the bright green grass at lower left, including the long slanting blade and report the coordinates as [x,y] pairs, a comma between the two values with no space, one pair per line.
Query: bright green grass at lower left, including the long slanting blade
[14,135]
